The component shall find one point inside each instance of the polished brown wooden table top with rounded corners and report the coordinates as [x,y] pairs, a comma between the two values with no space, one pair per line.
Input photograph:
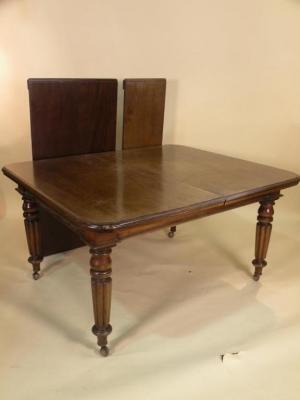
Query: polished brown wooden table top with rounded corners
[114,188]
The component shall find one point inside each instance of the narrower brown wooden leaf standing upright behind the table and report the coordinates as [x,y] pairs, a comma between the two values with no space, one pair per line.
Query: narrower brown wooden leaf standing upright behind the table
[144,106]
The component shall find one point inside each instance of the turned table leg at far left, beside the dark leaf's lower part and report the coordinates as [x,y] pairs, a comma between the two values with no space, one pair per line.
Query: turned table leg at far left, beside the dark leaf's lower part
[31,221]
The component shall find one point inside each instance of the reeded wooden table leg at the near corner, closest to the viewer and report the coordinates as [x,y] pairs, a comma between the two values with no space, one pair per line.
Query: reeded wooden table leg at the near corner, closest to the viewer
[101,291]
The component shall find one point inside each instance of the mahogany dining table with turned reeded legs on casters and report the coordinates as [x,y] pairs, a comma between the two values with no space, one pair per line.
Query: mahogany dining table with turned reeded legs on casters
[108,197]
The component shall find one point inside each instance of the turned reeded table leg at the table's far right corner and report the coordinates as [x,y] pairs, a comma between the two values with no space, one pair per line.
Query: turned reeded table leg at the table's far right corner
[263,234]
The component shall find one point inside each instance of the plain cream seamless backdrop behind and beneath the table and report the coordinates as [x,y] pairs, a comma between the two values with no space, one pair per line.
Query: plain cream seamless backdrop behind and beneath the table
[233,70]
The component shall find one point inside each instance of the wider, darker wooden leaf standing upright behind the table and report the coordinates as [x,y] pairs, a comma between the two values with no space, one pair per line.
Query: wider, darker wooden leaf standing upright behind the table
[68,117]
